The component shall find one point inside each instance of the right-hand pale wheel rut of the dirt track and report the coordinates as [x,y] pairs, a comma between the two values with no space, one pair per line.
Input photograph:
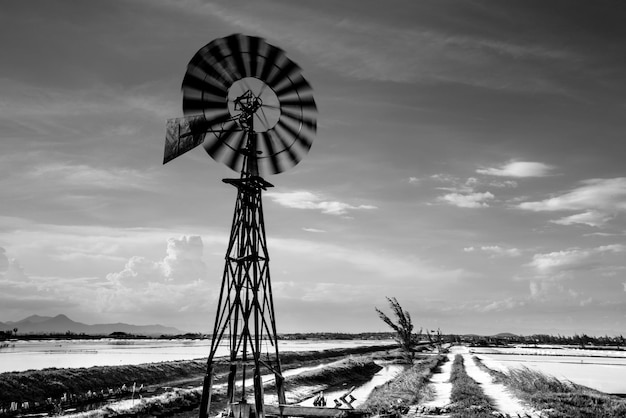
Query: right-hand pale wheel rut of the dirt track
[505,402]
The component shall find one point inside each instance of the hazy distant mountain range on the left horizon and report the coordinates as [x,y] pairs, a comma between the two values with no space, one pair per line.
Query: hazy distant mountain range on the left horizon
[36,324]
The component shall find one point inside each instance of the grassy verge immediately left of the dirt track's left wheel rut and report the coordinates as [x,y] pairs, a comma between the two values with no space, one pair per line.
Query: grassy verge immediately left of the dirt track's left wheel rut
[408,388]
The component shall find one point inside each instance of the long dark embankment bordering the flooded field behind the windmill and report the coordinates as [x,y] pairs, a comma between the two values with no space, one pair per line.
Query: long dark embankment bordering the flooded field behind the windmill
[35,386]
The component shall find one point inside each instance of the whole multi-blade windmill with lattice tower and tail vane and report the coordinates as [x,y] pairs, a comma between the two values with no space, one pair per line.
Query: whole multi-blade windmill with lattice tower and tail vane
[250,108]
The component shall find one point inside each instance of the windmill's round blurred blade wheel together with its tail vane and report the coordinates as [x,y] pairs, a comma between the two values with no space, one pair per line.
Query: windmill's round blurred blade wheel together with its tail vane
[247,100]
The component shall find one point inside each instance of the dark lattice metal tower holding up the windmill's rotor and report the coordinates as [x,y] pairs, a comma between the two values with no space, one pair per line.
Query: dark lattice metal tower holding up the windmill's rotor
[245,312]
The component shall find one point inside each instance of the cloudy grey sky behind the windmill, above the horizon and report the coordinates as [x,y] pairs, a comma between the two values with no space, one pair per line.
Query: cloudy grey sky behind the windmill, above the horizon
[469,161]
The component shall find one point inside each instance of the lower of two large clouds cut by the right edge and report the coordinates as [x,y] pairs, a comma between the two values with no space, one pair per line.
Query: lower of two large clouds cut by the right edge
[558,262]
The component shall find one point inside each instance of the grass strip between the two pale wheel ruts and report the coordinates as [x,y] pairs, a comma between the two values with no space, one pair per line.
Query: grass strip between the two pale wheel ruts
[467,398]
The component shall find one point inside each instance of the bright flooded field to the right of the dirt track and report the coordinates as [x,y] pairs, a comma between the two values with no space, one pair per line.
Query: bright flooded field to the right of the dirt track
[598,369]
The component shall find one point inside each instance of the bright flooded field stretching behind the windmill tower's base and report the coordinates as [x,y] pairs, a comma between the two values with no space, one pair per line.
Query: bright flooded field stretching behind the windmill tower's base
[26,355]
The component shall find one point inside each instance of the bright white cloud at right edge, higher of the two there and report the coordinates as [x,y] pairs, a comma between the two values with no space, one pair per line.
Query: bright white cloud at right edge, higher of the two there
[600,199]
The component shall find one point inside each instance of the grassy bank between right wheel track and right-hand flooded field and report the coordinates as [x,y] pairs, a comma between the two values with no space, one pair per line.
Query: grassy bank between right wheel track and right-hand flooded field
[558,399]
